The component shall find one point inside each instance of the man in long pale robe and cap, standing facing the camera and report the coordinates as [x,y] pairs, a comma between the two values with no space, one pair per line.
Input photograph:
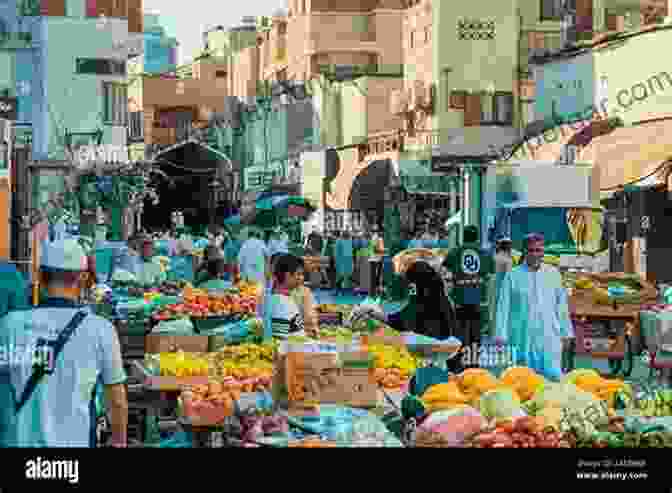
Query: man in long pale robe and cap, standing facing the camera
[533,314]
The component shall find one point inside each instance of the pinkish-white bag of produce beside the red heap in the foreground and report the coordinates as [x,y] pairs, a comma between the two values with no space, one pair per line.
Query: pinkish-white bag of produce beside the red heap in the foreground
[454,425]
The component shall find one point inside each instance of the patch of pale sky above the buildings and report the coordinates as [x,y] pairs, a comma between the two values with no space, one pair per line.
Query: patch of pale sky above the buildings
[187,21]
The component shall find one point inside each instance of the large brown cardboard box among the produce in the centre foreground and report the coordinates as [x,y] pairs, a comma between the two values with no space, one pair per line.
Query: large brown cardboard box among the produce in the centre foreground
[326,378]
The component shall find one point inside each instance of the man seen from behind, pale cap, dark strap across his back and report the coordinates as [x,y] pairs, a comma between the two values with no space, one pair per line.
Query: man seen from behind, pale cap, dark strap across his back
[52,359]
